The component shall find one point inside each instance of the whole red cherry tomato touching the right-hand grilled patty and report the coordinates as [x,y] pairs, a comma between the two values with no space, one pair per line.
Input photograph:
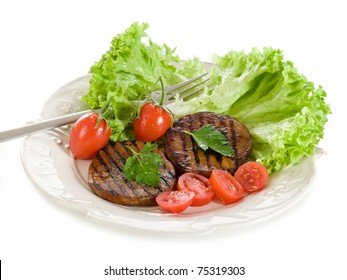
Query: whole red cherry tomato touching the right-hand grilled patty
[152,123]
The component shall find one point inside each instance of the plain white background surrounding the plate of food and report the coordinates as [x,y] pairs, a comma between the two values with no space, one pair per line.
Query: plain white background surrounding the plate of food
[44,44]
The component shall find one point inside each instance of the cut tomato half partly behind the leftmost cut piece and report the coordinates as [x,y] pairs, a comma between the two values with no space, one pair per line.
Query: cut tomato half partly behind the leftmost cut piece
[198,184]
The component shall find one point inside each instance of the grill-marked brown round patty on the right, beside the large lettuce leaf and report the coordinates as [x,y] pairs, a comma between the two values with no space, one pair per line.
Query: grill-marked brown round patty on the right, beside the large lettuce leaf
[188,157]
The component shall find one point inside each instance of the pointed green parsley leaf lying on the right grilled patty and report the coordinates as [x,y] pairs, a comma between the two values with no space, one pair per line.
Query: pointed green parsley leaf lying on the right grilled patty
[209,137]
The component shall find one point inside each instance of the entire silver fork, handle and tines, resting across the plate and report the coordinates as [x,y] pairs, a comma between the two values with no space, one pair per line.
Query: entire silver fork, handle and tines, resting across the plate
[188,90]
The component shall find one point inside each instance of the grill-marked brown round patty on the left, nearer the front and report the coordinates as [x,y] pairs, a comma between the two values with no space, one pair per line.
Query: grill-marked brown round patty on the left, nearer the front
[107,179]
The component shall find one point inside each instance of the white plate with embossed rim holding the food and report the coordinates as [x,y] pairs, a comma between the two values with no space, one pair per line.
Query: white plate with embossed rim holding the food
[49,164]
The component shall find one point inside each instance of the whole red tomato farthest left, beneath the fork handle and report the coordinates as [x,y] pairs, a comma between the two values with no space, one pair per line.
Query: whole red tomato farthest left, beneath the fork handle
[88,136]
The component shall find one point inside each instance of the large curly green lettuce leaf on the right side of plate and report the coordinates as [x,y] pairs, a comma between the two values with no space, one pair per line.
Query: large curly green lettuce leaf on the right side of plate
[284,112]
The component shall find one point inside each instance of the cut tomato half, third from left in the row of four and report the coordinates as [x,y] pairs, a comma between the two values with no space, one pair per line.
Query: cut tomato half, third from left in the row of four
[226,187]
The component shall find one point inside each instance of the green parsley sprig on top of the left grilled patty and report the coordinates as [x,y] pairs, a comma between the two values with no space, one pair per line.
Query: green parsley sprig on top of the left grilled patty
[143,166]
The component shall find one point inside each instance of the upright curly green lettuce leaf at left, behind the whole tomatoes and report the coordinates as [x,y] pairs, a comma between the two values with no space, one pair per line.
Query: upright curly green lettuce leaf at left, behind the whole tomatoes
[128,72]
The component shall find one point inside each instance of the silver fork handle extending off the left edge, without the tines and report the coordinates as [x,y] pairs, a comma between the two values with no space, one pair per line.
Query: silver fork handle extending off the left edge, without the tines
[40,126]
